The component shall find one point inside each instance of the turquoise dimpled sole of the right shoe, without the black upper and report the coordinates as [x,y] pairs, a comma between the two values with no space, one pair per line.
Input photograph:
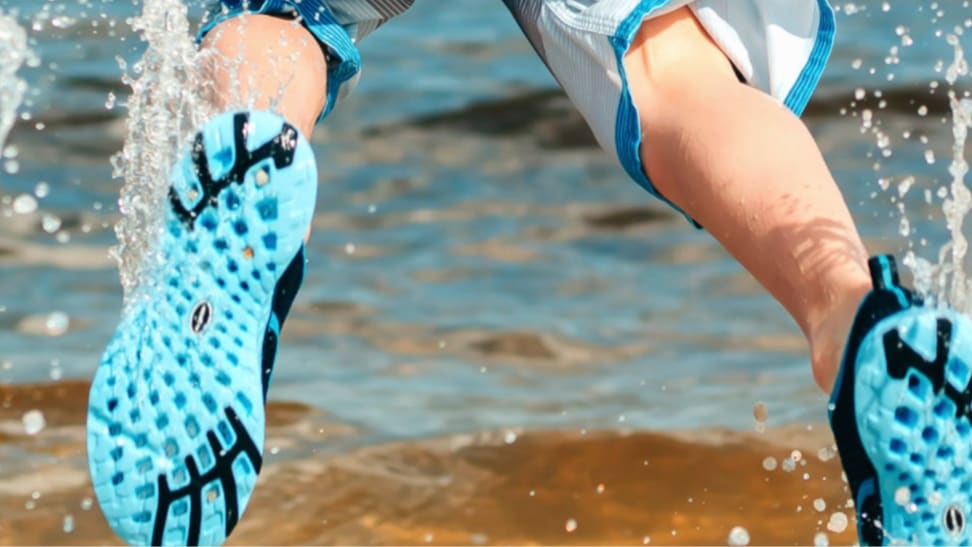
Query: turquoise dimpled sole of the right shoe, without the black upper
[912,411]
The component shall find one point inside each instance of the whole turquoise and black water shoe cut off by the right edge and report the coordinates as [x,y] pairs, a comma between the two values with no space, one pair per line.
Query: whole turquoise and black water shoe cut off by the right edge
[900,415]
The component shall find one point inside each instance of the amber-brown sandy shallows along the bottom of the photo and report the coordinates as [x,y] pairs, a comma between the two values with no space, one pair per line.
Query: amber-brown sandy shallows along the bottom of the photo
[486,488]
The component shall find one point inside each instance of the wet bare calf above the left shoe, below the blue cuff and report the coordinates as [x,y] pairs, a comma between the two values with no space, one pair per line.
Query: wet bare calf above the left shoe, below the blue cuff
[266,61]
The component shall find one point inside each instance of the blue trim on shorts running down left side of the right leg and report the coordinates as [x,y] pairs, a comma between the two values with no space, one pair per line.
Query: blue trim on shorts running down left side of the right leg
[627,127]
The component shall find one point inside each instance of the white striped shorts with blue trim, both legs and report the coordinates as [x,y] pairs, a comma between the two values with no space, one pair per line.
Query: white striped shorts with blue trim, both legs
[778,46]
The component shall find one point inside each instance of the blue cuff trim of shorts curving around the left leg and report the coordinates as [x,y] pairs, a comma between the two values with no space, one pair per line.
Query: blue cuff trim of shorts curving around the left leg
[345,60]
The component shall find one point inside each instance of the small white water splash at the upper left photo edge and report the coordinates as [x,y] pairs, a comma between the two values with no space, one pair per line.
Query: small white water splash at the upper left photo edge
[13,54]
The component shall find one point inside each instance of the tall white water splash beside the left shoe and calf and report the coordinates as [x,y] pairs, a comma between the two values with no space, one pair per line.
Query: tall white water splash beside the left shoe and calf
[169,101]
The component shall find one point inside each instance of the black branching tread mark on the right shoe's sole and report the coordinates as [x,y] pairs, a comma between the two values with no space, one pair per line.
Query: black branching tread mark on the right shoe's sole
[901,357]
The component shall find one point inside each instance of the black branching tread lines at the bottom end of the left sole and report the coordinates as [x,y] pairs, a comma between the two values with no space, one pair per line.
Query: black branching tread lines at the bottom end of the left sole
[222,469]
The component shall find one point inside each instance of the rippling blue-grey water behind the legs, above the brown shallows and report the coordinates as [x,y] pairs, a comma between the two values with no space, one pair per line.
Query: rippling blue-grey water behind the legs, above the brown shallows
[477,264]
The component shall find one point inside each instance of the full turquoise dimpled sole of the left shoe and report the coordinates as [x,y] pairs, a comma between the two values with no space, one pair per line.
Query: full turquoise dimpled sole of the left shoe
[176,410]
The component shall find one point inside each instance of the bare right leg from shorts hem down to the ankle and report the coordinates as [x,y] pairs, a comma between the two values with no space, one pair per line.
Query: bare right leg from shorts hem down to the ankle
[748,170]
